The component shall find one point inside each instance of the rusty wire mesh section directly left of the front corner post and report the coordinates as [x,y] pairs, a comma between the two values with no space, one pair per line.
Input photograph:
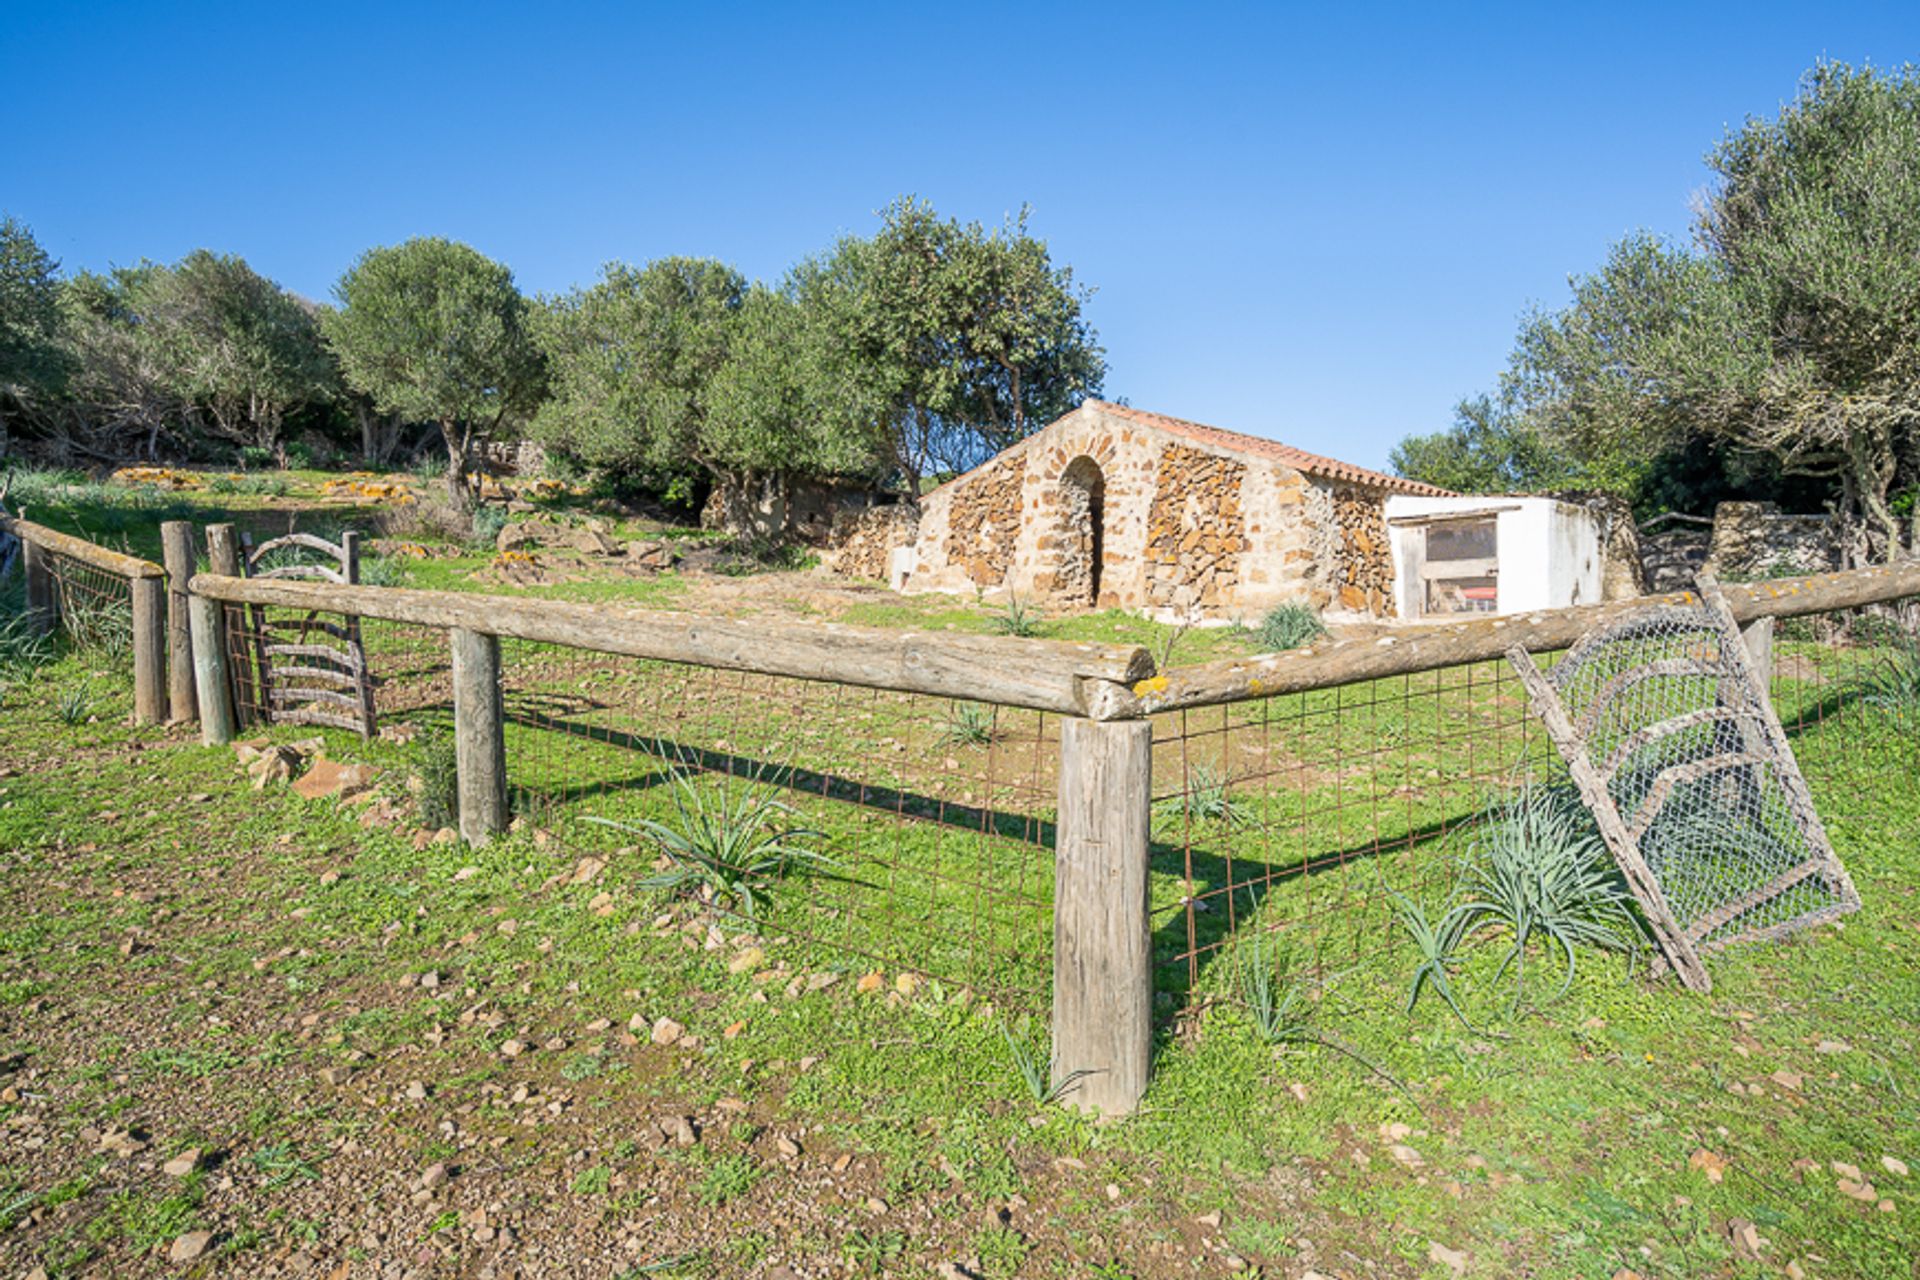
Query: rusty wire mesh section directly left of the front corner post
[869,830]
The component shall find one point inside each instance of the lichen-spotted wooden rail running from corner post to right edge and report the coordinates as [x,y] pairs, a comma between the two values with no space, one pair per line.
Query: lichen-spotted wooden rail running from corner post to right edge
[1428,648]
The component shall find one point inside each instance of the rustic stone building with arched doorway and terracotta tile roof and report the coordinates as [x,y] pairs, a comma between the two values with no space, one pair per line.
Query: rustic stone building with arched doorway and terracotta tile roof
[1113,508]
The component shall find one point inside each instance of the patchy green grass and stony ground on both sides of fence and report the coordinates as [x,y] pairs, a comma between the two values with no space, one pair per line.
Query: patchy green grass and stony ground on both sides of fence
[331,1007]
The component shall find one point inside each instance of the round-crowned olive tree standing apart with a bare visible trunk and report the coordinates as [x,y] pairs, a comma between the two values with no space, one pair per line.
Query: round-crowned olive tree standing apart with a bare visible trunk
[437,333]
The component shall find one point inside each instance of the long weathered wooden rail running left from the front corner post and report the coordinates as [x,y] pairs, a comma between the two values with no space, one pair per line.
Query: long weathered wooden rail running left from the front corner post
[1051,676]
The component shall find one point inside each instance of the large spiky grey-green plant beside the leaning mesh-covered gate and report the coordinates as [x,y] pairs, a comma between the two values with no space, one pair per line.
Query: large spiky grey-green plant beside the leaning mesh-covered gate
[1541,870]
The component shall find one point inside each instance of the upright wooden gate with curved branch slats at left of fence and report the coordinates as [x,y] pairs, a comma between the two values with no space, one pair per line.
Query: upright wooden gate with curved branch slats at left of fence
[310,671]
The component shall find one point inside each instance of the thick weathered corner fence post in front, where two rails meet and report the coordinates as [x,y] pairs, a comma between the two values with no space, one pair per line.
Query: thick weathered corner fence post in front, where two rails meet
[1103,939]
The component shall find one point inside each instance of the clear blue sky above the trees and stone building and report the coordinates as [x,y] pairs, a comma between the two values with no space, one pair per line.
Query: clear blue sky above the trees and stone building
[1316,224]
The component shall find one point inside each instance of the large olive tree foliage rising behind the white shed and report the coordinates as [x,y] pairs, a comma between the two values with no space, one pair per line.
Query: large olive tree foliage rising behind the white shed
[1783,346]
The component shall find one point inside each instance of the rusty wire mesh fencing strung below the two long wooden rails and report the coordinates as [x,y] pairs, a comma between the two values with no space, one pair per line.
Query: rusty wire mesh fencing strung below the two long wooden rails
[930,824]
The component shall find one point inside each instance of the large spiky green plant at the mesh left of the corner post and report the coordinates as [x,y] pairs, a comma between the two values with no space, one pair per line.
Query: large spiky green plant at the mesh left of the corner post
[729,843]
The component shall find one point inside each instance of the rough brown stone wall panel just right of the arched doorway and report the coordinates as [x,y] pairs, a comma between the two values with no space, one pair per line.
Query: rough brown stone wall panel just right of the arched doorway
[1195,533]
